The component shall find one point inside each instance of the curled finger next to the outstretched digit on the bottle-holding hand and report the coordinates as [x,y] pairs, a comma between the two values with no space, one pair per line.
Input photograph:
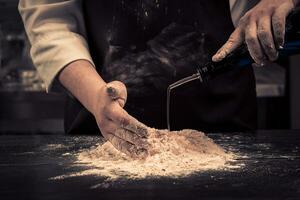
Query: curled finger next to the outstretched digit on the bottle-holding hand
[253,44]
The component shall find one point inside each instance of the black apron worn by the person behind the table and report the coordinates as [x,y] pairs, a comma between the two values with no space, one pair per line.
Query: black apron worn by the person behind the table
[149,44]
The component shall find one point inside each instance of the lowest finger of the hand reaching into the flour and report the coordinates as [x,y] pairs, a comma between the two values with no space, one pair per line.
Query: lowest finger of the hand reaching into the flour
[126,147]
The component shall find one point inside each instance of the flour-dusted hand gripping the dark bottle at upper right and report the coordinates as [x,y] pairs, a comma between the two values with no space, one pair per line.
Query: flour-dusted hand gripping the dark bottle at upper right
[262,29]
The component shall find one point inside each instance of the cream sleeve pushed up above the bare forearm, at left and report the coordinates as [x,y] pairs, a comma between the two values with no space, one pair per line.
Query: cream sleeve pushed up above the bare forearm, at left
[57,35]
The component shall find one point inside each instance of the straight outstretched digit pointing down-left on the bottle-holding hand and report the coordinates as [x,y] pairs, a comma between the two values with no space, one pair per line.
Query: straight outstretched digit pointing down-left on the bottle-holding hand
[234,41]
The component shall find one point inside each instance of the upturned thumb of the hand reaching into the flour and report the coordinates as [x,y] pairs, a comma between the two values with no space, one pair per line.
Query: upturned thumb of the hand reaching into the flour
[117,91]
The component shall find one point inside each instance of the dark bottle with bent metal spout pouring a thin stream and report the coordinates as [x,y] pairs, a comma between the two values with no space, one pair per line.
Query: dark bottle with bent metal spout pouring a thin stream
[241,58]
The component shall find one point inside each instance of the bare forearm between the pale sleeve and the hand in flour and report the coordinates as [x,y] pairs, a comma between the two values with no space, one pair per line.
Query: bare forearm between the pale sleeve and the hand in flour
[82,80]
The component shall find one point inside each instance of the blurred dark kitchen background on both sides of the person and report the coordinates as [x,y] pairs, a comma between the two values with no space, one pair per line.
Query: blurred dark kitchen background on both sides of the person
[25,107]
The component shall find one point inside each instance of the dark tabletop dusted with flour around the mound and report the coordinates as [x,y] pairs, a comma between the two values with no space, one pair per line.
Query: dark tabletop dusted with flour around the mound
[272,171]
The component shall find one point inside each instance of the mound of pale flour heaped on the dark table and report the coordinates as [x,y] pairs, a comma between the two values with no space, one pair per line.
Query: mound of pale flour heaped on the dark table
[172,154]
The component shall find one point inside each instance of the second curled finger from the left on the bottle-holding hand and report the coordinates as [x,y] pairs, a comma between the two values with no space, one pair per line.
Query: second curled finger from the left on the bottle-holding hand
[265,37]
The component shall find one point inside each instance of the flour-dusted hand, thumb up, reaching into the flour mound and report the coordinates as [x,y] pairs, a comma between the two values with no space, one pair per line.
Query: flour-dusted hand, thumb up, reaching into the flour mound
[117,126]
